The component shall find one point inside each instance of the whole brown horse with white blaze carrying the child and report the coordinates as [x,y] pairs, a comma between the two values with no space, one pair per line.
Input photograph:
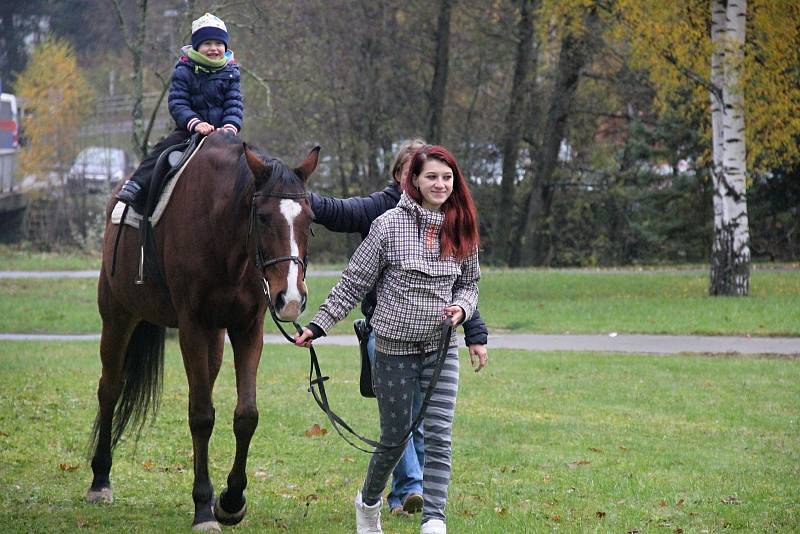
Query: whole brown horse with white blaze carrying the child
[235,230]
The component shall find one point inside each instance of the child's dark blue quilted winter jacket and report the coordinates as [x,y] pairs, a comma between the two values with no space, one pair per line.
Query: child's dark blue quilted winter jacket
[213,97]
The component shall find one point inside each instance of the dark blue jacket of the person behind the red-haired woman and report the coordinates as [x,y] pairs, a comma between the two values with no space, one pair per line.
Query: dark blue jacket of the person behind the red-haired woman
[356,214]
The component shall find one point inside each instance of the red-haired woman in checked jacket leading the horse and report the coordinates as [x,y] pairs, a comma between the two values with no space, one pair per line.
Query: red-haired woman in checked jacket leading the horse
[422,259]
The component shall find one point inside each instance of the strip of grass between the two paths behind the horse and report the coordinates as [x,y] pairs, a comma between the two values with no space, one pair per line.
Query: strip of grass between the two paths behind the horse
[657,302]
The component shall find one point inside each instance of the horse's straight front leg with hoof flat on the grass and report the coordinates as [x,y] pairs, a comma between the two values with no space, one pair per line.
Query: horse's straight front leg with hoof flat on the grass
[195,344]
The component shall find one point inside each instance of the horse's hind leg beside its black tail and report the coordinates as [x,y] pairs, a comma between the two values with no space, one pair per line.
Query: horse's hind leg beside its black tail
[117,329]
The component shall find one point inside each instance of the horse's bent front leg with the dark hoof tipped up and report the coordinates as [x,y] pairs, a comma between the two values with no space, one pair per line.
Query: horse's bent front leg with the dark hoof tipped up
[247,353]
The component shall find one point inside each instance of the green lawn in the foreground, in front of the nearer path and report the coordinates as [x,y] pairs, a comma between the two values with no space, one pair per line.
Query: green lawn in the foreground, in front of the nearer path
[543,442]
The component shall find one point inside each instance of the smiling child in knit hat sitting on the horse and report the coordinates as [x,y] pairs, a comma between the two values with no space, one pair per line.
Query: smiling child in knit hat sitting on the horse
[205,95]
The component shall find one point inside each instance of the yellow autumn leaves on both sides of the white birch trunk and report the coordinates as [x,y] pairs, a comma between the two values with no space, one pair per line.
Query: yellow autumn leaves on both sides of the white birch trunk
[671,41]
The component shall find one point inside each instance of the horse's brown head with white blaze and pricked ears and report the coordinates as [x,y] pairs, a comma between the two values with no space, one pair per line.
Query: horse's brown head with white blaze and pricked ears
[280,220]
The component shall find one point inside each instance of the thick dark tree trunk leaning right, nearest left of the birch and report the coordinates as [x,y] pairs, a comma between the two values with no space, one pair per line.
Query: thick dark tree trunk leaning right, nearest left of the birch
[575,52]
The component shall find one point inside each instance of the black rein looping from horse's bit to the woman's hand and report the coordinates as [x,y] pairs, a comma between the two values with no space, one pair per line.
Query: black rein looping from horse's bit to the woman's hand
[316,385]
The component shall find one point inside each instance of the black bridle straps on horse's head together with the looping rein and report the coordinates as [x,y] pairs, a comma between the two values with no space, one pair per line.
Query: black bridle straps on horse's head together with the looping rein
[316,380]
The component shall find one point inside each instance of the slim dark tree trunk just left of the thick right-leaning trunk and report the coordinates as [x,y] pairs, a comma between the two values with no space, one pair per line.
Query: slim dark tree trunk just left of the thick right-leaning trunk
[517,110]
